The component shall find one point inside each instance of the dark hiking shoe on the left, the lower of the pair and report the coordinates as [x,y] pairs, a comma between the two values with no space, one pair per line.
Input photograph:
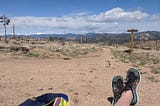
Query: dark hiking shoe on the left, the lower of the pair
[117,87]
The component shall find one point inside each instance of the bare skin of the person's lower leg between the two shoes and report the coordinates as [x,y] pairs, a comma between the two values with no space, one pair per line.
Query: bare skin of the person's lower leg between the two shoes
[125,99]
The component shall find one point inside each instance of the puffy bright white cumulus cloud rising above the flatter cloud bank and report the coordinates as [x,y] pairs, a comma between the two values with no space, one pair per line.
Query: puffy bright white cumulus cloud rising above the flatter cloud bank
[118,14]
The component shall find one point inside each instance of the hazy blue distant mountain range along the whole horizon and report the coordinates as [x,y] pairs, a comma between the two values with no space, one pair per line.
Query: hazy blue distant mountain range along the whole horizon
[101,37]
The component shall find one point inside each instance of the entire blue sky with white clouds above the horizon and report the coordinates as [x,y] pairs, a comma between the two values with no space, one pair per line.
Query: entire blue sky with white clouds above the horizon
[80,16]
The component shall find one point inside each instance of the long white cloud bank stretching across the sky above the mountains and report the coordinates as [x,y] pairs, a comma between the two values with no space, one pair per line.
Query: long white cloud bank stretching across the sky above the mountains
[114,20]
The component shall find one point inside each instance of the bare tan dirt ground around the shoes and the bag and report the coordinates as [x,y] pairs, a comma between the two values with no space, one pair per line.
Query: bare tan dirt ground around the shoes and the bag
[87,81]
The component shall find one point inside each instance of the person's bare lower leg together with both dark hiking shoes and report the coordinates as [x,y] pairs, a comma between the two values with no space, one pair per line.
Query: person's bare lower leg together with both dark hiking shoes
[128,95]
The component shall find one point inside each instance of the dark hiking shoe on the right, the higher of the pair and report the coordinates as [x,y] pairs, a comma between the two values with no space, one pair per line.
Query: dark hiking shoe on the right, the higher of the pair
[132,82]
